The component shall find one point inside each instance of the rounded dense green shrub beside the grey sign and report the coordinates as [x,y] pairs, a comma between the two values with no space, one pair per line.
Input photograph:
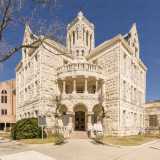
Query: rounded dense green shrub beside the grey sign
[26,128]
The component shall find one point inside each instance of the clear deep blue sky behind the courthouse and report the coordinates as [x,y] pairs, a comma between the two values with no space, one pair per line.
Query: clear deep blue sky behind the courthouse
[110,18]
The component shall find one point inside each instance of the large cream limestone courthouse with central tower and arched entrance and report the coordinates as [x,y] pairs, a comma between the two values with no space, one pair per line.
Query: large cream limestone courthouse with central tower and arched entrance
[79,85]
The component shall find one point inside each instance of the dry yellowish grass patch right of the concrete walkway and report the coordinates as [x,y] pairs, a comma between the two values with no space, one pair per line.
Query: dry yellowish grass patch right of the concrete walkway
[131,140]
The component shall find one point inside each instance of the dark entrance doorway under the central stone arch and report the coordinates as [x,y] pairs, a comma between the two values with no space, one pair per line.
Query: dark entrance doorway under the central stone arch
[80,121]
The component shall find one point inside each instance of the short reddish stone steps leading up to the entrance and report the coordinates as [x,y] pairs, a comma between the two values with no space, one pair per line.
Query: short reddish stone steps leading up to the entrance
[79,135]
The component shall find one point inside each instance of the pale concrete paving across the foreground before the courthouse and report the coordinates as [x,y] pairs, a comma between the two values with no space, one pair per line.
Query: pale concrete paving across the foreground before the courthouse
[79,149]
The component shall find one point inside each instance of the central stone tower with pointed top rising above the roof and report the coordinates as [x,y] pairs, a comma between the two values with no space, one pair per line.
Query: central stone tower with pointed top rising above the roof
[80,36]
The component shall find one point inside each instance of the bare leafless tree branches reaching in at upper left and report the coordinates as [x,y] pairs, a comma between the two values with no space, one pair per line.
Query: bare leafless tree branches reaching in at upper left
[19,13]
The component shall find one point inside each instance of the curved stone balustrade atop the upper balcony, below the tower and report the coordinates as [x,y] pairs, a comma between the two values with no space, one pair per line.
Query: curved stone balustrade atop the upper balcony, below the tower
[79,69]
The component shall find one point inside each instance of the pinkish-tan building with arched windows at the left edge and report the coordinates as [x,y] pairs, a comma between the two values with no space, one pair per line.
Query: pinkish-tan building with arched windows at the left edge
[8,104]
